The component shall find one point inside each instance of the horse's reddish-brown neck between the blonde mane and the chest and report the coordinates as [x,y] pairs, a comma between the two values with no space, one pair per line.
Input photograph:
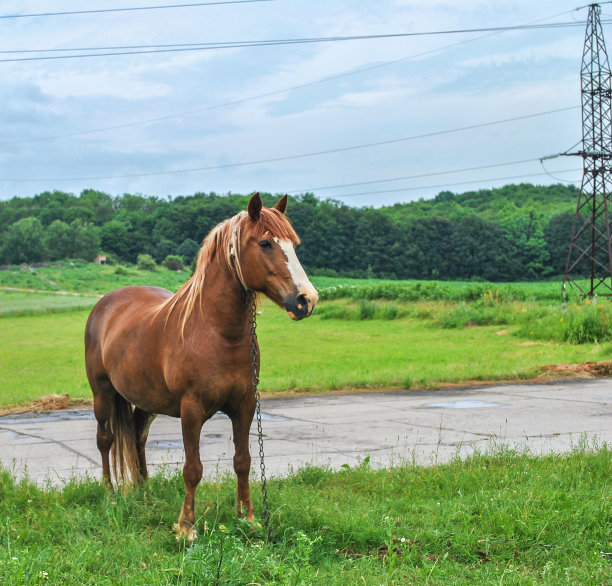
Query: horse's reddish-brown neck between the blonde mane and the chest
[222,305]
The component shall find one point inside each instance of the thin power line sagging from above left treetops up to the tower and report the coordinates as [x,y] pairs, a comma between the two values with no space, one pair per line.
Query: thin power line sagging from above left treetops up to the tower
[301,155]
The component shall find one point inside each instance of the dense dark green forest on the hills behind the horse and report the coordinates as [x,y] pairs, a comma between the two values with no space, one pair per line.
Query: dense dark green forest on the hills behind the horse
[513,233]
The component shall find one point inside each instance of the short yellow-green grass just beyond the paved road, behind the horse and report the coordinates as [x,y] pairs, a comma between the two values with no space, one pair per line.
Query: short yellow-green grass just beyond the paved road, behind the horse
[43,354]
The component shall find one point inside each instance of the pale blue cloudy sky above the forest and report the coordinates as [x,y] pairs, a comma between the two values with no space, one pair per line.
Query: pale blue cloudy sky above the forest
[367,122]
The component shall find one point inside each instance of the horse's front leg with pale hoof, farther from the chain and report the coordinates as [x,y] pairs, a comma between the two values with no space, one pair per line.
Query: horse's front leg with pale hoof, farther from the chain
[192,419]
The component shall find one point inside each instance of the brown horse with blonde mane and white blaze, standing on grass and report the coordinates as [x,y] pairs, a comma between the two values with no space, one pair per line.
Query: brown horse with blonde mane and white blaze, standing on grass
[188,355]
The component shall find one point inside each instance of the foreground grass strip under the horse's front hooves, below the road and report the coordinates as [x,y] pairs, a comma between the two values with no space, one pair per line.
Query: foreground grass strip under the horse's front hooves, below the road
[499,517]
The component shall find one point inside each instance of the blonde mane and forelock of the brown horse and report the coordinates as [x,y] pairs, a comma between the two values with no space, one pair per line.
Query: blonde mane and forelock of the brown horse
[223,243]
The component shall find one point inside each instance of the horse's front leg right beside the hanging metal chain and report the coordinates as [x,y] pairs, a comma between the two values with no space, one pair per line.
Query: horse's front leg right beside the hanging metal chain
[241,424]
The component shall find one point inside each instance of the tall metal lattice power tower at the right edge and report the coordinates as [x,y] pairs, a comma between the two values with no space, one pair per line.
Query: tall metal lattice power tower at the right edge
[590,252]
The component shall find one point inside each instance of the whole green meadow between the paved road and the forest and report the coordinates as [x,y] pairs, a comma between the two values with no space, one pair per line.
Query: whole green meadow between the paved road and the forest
[365,334]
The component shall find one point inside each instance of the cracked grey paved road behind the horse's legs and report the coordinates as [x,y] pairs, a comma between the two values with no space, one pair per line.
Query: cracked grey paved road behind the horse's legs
[420,427]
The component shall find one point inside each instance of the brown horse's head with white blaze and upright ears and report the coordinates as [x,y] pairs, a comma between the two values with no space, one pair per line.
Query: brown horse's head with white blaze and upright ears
[267,259]
